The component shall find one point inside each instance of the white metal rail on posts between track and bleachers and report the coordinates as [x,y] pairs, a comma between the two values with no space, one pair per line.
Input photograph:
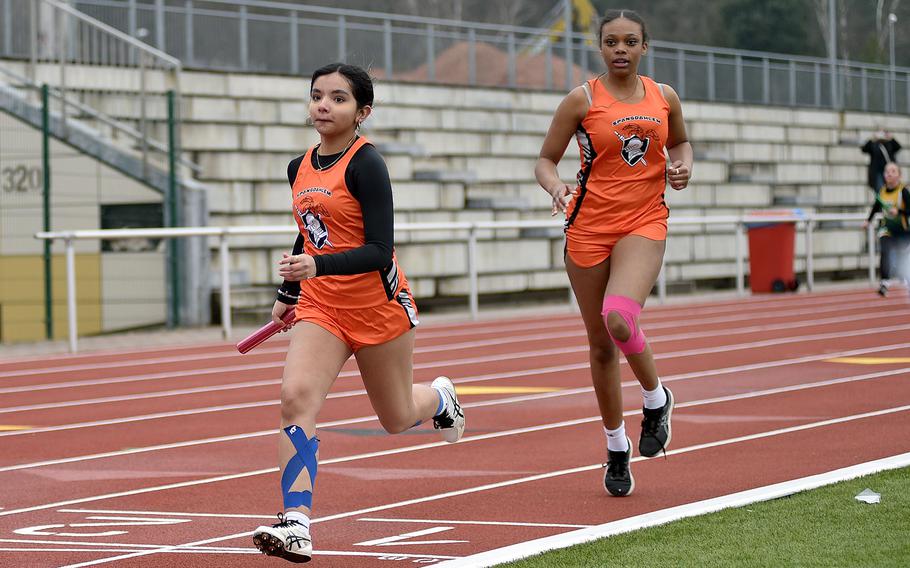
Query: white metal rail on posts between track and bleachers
[808,221]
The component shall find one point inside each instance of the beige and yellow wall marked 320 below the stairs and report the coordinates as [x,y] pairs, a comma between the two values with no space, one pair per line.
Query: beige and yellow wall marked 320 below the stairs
[117,286]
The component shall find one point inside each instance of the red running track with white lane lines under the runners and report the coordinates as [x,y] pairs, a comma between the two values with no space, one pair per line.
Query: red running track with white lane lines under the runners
[166,457]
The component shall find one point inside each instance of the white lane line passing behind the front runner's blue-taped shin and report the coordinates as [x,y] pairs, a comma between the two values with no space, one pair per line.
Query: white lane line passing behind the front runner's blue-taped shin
[409,449]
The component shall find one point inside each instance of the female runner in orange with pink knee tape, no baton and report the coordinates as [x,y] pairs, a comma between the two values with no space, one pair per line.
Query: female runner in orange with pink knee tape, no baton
[616,224]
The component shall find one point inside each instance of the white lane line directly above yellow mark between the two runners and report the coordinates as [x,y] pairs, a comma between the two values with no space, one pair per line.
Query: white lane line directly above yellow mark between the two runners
[478,360]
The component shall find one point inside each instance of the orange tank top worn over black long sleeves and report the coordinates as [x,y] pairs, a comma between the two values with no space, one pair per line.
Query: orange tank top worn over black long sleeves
[329,217]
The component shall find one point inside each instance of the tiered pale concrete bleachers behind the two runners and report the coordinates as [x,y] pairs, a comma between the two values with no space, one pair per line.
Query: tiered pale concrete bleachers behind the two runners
[468,154]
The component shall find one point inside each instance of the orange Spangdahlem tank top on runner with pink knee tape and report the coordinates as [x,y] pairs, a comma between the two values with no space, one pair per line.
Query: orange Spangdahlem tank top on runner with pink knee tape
[623,168]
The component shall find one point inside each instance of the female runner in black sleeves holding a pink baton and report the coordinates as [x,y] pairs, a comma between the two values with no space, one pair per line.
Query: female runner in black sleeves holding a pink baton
[350,297]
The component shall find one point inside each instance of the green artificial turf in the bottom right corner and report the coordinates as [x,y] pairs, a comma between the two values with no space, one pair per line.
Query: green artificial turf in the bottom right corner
[826,527]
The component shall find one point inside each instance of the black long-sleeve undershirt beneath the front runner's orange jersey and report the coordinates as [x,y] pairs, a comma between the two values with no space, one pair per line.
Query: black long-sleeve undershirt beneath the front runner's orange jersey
[367,178]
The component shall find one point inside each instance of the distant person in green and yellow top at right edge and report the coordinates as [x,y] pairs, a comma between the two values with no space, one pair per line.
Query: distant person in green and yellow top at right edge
[893,202]
